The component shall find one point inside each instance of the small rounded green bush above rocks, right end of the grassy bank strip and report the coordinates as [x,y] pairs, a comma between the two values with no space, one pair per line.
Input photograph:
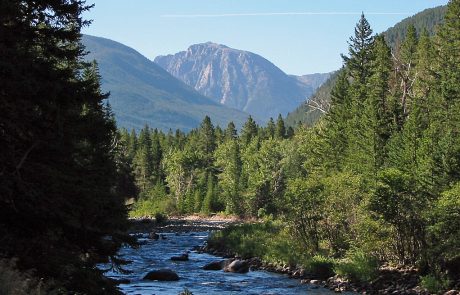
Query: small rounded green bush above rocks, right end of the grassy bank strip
[358,266]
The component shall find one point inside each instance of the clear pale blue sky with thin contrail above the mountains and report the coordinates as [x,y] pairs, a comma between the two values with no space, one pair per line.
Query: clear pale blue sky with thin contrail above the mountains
[299,36]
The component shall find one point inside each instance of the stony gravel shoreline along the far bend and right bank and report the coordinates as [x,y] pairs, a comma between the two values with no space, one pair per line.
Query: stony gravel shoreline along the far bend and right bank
[391,280]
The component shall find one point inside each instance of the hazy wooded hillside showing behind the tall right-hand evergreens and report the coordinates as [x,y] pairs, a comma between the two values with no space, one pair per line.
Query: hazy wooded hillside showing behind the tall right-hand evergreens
[428,19]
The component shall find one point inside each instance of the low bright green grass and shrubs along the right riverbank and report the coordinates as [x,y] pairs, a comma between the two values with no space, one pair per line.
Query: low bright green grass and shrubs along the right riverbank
[272,242]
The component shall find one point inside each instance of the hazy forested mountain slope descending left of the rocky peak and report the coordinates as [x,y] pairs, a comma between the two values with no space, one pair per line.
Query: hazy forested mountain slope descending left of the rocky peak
[142,93]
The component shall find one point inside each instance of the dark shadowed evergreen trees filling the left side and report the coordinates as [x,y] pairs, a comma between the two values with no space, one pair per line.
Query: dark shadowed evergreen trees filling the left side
[61,206]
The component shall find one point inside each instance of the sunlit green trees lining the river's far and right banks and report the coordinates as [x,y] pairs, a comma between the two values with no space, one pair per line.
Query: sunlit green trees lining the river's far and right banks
[379,174]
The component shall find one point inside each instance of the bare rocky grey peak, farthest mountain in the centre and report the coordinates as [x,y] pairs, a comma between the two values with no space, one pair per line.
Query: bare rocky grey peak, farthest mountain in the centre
[238,79]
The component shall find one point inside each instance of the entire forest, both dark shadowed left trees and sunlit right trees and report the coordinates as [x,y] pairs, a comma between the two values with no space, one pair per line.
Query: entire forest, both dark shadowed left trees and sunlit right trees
[375,180]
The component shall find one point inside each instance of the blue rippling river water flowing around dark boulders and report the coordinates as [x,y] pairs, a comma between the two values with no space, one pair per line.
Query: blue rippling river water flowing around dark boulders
[156,254]
